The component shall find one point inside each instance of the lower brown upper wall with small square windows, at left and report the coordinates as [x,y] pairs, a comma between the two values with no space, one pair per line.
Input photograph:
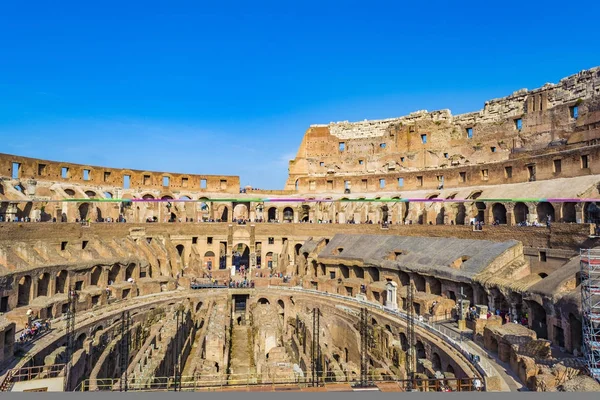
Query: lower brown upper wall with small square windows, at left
[63,172]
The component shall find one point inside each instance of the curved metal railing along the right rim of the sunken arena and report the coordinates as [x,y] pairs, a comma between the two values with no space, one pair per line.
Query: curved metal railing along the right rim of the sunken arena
[482,366]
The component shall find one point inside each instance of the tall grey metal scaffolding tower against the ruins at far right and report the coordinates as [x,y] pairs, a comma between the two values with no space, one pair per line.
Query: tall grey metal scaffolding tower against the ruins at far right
[590,304]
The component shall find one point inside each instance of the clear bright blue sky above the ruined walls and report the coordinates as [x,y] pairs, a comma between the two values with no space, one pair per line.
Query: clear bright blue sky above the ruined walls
[230,87]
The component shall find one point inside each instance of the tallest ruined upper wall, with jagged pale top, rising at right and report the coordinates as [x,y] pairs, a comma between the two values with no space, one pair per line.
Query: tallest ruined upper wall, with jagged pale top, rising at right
[560,114]
